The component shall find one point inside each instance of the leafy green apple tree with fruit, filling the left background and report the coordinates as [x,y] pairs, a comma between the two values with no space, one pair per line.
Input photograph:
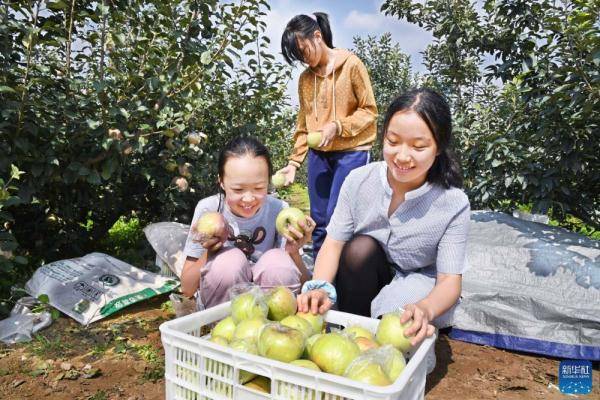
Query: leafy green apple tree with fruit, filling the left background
[115,108]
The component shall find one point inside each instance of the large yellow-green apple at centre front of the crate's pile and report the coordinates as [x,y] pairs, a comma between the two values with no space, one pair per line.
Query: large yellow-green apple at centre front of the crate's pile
[333,352]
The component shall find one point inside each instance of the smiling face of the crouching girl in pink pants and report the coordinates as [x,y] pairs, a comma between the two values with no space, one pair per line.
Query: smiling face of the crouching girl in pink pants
[245,182]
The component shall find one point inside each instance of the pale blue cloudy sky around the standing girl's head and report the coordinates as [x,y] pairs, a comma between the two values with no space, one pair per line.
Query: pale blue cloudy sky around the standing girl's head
[348,19]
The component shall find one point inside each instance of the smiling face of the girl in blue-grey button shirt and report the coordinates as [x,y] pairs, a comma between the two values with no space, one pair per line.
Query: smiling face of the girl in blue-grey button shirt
[409,150]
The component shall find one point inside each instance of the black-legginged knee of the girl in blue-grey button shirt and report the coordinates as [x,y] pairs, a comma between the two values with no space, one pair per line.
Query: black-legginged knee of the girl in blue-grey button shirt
[363,271]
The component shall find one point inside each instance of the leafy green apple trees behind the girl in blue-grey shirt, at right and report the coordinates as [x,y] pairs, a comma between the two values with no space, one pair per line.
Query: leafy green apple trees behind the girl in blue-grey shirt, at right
[529,130]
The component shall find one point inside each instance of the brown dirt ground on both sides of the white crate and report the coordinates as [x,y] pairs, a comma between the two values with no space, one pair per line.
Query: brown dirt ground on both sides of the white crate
[122,358]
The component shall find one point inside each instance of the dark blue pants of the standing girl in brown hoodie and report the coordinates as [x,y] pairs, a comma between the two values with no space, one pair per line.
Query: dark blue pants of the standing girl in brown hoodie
[326,173]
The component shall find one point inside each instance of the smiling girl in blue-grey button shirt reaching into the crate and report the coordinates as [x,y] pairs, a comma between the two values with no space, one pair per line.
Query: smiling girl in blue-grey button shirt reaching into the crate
[397,238]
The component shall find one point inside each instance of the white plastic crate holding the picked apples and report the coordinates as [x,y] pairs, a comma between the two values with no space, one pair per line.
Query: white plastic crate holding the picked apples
[198,369]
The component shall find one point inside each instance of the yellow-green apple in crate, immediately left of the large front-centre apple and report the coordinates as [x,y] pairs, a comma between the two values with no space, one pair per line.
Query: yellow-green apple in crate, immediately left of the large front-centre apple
[280,342]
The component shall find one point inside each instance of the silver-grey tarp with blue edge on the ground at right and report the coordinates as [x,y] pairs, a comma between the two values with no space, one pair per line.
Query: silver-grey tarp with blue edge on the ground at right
[530,287]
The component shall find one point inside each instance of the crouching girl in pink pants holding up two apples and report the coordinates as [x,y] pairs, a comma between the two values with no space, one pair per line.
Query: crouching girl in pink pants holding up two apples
[246,246]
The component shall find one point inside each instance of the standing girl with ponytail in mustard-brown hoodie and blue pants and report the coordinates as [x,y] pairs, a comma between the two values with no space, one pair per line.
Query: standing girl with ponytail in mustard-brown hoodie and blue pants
[336,99]
